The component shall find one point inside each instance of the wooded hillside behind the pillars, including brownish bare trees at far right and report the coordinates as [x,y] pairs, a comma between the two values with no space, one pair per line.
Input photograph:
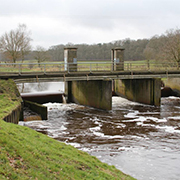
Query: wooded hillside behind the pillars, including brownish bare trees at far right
[165,47]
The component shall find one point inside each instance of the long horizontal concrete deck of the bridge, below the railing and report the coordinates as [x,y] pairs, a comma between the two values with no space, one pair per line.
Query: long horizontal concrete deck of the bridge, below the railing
[76,76]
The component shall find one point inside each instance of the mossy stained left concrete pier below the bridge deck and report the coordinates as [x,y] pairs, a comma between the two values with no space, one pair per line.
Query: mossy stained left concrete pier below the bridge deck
[97,94]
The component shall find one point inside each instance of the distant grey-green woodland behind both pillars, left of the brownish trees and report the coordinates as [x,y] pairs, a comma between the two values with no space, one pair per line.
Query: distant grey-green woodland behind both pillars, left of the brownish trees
[102,51]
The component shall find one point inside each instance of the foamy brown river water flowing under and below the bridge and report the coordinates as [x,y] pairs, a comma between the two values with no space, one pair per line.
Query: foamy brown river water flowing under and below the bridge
[140,140]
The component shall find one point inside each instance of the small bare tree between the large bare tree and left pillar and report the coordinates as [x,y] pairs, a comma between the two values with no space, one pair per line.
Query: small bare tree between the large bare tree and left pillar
[41,54]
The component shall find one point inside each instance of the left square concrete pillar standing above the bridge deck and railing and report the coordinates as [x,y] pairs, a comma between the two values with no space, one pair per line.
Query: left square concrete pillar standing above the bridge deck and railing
[70,59]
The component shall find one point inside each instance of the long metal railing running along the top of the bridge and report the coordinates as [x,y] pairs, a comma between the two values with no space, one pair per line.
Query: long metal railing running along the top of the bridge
[107,66]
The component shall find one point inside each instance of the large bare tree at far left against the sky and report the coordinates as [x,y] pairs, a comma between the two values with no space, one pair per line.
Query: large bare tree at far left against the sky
[16,44]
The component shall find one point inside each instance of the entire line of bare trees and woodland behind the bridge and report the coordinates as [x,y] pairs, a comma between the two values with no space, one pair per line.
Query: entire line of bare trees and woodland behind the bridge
[16,45]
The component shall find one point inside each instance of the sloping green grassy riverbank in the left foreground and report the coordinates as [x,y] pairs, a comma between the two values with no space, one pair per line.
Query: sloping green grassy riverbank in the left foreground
[27,154]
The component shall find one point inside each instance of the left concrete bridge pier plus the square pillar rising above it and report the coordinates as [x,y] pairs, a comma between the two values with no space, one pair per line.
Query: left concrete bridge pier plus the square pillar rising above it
[97,93]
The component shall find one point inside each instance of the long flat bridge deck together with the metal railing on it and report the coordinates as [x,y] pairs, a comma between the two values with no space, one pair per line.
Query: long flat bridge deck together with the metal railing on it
[85,71]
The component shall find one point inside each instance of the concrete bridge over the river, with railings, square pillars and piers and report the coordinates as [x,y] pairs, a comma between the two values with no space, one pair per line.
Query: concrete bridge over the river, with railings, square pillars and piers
[91,83]
